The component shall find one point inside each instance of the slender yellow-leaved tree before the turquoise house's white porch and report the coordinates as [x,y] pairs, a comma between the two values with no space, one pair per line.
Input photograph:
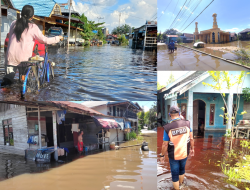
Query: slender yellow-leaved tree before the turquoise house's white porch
[222,78]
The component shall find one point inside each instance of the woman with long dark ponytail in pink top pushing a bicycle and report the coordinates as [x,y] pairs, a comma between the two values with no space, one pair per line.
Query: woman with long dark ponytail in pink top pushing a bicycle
[22,35]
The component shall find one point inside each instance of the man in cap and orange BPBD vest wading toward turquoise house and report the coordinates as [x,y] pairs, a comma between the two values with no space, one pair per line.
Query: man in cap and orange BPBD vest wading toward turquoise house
[178,142]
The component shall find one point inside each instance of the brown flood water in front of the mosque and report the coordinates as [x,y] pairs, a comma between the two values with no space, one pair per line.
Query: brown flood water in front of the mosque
[187,59]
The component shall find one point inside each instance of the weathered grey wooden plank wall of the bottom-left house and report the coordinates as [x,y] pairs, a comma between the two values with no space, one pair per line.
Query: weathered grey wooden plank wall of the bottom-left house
[19,124]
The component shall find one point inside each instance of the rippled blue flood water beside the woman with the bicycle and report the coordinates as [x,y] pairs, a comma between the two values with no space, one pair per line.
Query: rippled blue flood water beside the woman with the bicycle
[97,73]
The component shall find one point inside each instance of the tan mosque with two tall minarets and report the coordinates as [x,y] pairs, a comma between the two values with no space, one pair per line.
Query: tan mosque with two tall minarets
[214,35]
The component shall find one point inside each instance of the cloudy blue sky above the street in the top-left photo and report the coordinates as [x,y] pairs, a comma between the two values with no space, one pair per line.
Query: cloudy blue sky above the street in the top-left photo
[133,12]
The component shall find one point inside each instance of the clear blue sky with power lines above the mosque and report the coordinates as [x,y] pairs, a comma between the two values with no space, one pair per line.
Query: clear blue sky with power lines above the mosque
[231,15]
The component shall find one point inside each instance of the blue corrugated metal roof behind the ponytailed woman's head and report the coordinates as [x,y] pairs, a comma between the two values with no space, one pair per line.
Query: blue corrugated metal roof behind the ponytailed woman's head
[42,7]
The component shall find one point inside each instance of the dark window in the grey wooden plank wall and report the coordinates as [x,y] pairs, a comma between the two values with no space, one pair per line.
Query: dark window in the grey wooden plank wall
[8,132]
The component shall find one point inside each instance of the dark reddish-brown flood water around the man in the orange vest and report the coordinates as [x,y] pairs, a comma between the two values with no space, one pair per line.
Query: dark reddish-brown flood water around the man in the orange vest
[203,171]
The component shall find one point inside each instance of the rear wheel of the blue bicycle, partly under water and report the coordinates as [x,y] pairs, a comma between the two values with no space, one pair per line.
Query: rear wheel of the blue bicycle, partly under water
[30,82]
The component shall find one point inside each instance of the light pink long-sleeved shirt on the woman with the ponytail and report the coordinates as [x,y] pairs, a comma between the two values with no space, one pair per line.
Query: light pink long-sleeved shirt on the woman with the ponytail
[22,50]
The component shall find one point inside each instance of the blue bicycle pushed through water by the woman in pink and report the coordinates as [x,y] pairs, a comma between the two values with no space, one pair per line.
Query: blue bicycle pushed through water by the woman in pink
[35,72]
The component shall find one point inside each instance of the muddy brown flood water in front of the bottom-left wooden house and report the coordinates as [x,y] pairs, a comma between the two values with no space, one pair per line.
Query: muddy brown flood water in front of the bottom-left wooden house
[127,168]
